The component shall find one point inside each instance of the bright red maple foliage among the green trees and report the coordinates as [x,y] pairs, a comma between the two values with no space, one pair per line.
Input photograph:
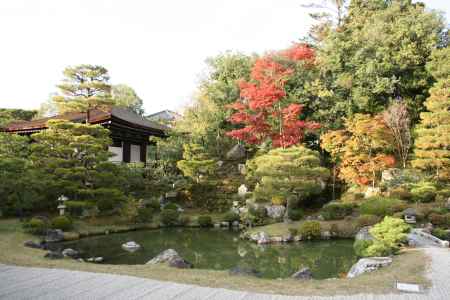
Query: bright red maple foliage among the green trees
[263,108]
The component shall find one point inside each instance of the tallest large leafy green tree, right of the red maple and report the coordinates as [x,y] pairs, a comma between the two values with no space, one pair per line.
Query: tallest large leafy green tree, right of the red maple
[379,54]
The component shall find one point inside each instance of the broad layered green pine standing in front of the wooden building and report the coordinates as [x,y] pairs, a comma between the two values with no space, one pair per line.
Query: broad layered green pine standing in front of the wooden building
[74,157]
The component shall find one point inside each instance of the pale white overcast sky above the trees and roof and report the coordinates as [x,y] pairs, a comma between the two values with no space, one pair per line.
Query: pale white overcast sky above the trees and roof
[158,47]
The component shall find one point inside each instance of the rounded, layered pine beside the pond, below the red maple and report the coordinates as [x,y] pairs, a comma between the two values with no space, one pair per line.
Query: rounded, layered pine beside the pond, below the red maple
[293,172]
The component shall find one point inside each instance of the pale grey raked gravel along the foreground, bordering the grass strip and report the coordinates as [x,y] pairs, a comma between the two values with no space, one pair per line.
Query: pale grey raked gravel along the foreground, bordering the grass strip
[40,283]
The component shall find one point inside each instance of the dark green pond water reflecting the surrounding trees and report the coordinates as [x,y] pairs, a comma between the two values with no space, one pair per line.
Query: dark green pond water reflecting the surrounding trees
[222,250]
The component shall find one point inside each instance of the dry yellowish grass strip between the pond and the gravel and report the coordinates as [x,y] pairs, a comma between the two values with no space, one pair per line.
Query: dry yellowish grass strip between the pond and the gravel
[408,267]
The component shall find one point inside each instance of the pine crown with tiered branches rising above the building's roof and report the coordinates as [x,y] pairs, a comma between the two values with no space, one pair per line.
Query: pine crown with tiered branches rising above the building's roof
[85,87]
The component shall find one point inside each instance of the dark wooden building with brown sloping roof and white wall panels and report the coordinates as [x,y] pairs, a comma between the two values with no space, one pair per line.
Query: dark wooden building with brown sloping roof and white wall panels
[130,132]
